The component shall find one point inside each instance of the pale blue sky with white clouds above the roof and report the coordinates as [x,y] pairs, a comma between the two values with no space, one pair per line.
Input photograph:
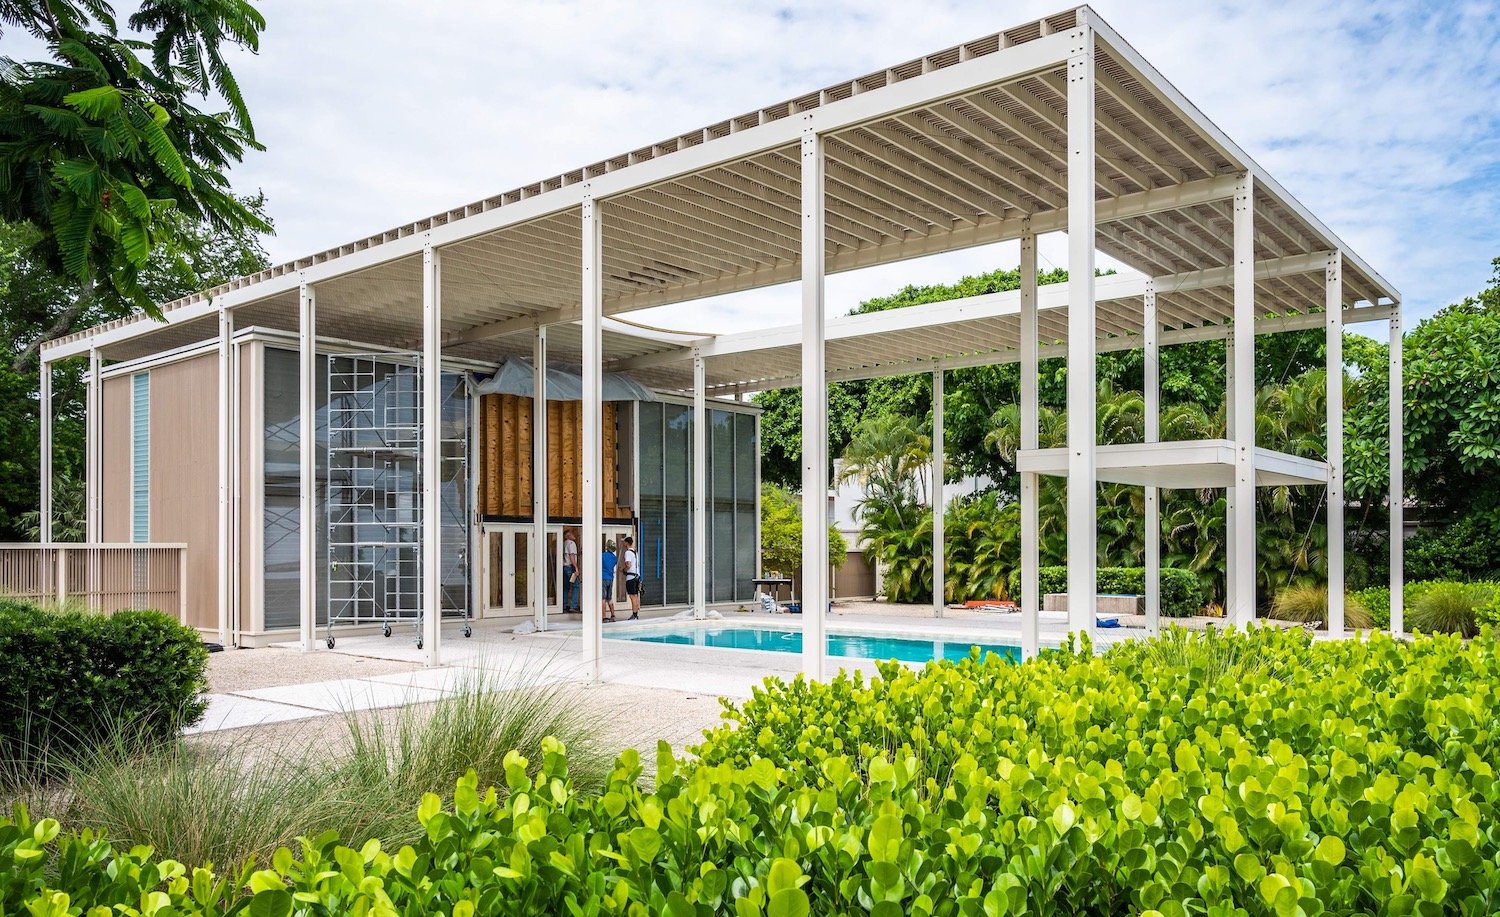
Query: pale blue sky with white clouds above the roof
[1384,118]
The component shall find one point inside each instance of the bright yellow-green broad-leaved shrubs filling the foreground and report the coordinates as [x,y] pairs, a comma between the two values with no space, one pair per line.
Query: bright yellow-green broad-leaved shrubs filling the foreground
[1210,774]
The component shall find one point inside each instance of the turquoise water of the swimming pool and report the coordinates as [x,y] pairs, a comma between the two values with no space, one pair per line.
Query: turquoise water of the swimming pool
[854,646]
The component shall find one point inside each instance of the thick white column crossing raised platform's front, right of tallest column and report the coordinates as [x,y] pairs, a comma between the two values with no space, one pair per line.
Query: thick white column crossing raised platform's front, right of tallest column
[1241,603]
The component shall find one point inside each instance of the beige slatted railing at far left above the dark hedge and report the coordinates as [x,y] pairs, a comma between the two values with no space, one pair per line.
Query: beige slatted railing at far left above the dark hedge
[103,577]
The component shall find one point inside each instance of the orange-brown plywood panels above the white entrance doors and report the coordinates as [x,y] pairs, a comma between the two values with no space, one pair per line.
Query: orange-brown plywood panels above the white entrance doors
[506,474]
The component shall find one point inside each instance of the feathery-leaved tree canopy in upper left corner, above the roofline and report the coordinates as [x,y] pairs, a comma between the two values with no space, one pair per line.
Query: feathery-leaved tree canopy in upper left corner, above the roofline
[106,151]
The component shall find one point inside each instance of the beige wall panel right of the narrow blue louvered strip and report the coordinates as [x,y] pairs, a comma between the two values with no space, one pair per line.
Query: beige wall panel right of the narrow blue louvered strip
[185,475]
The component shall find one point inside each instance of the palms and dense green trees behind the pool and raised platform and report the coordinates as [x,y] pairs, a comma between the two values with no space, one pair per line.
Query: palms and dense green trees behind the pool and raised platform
[1453,436]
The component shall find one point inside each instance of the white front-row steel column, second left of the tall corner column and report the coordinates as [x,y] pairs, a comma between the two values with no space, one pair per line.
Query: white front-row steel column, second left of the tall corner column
[590,547]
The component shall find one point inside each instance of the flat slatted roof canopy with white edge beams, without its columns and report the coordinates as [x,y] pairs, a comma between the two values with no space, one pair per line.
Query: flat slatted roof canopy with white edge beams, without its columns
[958,149]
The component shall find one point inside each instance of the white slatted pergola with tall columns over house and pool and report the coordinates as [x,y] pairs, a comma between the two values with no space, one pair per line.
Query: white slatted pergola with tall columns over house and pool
[970,146]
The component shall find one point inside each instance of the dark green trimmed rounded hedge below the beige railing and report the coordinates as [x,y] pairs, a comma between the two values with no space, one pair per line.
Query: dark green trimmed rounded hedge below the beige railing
[74,679]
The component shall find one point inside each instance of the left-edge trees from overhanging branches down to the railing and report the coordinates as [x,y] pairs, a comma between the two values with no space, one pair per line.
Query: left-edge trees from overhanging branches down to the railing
[113,196]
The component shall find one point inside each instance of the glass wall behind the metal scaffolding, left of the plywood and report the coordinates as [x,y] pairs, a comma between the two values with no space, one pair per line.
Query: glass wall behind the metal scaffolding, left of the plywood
[394,484]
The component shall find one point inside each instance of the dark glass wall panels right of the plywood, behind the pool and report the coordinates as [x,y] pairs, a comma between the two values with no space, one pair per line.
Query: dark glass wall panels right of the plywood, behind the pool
[665,440]
